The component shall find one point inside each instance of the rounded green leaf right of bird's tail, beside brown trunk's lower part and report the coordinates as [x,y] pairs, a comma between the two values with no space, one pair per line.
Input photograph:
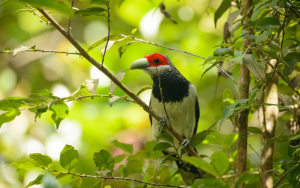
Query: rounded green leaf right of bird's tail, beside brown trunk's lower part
[220,161]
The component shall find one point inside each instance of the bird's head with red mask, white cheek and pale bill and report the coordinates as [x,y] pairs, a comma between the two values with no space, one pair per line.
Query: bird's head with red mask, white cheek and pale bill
[153,63]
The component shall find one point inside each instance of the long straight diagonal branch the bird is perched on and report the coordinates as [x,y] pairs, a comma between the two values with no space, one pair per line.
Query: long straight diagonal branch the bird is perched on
[114,79]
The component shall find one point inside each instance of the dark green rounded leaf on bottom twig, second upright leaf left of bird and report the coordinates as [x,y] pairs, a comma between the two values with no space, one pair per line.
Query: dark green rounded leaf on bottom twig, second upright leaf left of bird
[104,159]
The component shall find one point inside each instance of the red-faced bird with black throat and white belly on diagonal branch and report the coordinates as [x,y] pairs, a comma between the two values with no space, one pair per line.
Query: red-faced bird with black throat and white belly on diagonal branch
[174,98]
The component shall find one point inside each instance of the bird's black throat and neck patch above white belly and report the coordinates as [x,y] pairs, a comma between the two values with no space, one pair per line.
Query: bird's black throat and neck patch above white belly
[174,86]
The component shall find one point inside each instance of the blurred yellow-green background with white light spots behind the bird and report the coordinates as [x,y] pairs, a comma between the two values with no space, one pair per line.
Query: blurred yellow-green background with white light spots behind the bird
[92,123]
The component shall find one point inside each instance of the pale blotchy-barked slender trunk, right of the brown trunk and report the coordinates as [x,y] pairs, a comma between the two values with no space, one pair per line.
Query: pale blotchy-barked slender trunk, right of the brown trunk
[270,119]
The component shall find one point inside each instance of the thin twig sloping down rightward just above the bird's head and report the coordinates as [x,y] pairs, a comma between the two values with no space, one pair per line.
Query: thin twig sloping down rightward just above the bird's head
[143,41]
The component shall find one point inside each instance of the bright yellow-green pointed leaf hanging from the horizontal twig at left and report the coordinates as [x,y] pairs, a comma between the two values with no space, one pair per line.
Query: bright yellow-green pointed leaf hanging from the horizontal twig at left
[60,112]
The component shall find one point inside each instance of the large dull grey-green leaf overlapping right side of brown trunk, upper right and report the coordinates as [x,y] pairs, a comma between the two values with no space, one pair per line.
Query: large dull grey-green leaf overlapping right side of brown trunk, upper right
[254,67]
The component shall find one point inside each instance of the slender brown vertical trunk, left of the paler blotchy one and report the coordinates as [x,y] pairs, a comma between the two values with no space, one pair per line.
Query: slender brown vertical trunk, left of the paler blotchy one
[243,94]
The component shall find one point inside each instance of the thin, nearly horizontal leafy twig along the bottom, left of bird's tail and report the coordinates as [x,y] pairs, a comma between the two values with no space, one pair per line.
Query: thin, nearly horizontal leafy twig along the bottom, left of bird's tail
[114,178]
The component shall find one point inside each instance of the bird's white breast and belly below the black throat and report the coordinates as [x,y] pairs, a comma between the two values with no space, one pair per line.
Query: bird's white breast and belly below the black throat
[181,115]
